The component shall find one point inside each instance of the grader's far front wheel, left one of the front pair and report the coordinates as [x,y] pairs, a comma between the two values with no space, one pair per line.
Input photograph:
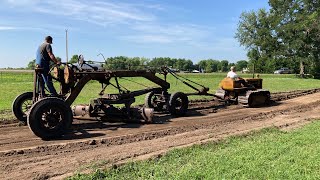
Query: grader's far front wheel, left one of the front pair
[154,101]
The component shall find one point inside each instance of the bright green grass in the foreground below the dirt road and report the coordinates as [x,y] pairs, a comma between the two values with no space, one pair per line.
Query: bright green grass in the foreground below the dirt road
[267,154]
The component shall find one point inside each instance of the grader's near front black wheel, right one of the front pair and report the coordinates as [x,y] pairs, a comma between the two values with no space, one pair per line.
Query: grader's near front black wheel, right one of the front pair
[178,104]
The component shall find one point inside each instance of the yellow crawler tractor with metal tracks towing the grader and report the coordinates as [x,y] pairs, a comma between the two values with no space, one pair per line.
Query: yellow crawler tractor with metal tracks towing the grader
[248,93]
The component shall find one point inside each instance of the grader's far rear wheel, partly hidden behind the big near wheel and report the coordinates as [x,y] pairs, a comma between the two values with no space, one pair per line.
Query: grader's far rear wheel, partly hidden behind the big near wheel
[21,105]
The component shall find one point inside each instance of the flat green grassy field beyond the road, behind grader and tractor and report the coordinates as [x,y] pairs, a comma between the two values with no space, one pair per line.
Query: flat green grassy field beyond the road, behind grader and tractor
[13,84]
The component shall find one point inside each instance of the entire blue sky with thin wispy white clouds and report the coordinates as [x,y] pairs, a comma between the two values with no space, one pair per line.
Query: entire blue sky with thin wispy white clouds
[190,29]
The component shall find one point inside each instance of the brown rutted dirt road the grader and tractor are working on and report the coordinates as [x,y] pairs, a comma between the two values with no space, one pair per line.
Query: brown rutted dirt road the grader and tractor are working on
[24,156]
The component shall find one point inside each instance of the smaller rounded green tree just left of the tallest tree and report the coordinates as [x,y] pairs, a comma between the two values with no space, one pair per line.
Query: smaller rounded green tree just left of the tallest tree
[255,32]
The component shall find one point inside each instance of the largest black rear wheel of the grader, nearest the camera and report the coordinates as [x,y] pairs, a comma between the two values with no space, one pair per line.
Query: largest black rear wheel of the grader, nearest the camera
[50,118]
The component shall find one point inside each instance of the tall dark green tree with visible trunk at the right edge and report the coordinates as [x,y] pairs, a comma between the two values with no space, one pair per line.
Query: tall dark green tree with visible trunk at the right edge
[299,29]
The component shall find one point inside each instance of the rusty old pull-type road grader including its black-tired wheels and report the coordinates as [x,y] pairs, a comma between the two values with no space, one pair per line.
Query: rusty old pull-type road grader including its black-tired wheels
[51,117]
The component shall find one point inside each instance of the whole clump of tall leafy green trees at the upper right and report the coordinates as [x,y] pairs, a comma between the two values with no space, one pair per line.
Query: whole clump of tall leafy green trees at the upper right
[286,35]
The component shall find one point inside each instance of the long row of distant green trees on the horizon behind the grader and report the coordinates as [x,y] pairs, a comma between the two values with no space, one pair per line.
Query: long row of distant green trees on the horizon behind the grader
[177,64]
